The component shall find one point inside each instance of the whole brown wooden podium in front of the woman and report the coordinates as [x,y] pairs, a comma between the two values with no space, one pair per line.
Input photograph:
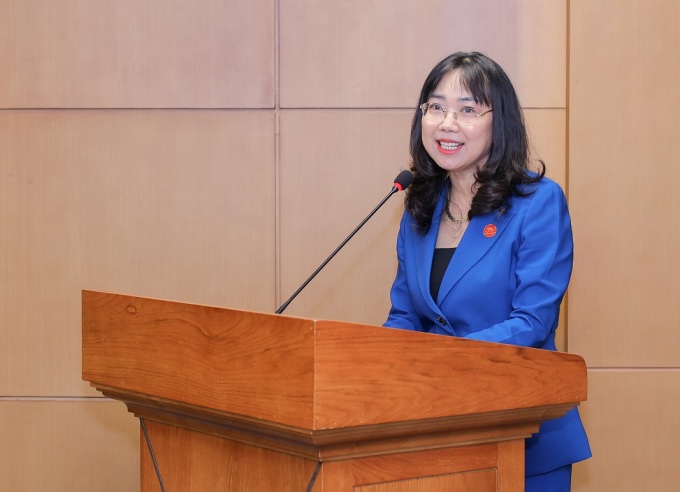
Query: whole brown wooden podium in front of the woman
[246,401]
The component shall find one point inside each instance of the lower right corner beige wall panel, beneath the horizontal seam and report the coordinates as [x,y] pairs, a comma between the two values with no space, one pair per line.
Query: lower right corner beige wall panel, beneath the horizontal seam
[631,418]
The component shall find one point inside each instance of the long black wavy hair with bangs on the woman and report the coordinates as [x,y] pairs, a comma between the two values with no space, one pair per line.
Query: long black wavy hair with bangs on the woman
[508,165]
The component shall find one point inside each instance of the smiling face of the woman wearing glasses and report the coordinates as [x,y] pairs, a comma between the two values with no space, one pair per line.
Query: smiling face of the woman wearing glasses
[459,146]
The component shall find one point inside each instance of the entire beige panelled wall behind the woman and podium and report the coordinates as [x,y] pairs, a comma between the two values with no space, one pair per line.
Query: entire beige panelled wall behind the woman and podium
[216,152]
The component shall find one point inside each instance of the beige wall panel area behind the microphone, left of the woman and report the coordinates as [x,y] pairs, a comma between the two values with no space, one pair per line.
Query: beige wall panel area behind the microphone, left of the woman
[336,166]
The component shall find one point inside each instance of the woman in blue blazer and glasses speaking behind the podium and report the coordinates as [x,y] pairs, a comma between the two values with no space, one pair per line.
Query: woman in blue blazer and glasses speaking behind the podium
[485,246]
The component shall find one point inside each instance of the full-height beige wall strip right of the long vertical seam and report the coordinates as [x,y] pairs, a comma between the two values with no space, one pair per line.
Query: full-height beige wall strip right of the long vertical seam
[624,314]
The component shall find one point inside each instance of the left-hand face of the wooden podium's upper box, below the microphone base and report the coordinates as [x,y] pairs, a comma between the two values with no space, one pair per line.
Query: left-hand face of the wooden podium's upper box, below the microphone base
[260,366]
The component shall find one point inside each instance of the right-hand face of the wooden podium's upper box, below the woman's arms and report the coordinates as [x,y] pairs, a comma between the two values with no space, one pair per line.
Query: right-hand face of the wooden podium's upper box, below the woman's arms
[367,375]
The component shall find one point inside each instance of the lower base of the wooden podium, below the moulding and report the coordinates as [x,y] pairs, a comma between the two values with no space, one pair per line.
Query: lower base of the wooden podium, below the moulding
[194,461]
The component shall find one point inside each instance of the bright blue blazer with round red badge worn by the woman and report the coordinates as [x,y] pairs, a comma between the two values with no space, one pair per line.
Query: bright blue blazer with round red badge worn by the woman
[504,284]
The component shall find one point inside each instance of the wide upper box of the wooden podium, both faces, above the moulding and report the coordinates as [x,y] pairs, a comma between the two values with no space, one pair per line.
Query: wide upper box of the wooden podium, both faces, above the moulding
[310,374]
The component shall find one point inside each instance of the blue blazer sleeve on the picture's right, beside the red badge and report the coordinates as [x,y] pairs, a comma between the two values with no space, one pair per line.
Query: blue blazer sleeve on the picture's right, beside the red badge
[543,269]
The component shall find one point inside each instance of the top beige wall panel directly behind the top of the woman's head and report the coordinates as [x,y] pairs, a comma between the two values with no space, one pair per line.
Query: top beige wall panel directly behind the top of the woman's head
[377,54]
